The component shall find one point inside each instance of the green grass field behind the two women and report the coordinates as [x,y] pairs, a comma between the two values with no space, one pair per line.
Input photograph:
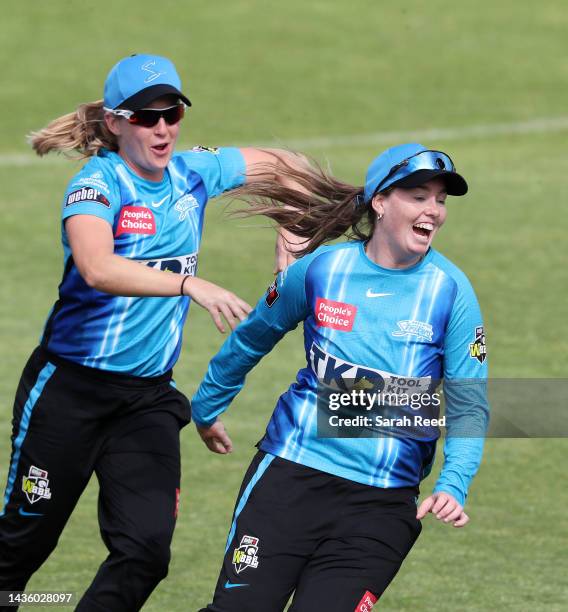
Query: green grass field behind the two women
[486,81]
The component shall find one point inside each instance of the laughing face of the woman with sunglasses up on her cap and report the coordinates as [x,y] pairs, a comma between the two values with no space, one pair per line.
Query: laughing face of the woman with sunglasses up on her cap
[410,220]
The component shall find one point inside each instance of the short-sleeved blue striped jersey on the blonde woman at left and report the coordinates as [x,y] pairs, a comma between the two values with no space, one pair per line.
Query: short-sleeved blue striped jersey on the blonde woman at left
[156,224]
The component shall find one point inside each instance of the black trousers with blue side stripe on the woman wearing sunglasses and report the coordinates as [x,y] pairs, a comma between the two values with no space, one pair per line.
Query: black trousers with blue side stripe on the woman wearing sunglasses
[70,421]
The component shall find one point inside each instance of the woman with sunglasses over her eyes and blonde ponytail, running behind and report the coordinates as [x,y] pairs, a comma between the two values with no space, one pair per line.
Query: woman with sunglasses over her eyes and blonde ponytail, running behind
[97,395]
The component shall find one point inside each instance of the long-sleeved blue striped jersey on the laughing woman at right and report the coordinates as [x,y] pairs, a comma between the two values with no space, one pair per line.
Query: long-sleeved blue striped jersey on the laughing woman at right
[414,323]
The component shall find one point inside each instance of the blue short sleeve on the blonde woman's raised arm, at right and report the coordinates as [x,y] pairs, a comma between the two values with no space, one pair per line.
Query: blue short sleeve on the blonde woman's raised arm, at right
[221,169]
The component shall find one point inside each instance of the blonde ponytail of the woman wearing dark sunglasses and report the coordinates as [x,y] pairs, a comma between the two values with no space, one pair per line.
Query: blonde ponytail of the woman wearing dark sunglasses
[82,132]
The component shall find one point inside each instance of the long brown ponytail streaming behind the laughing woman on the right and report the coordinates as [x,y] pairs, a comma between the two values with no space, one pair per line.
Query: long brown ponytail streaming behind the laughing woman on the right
[317,207]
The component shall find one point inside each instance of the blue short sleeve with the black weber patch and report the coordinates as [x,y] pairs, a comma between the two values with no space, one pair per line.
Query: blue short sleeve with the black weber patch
[92,191]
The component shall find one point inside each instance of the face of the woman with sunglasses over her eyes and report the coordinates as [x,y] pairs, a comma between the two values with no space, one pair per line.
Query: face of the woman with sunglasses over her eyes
[147,150]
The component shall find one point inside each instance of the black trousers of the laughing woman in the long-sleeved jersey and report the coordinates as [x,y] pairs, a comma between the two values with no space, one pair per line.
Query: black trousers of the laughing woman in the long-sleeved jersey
[333,542]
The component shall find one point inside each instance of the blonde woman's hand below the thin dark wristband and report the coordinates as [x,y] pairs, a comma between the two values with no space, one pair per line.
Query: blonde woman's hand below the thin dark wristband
[217,301]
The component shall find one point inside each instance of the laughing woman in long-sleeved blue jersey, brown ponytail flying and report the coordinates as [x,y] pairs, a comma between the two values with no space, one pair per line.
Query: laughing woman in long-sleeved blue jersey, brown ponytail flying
[331,516]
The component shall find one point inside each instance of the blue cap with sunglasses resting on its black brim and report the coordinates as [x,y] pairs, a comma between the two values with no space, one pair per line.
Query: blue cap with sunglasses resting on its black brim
[411,165]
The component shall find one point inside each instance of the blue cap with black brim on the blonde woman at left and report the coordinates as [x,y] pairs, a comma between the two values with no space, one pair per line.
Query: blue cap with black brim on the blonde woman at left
[137,80]
